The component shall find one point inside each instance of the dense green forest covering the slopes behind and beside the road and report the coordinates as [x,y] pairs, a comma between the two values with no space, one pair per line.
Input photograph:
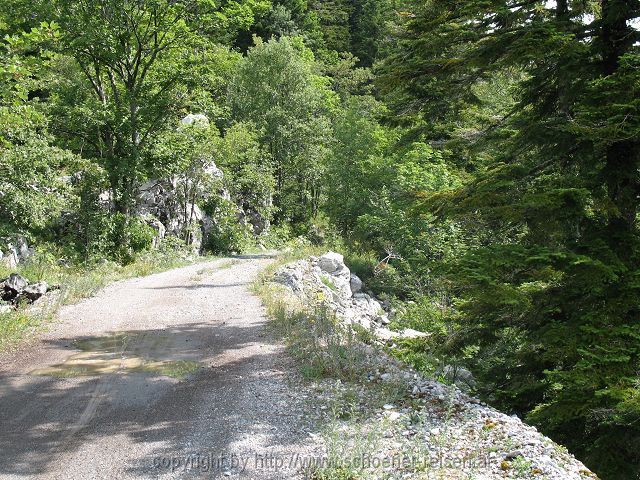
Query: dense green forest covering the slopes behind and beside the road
[478,163]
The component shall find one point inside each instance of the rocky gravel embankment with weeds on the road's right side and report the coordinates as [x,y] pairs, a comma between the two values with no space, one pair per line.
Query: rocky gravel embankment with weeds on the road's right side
[425,429]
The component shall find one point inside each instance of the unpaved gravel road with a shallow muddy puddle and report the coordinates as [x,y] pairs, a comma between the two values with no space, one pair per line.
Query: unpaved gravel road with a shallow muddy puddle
[167,376]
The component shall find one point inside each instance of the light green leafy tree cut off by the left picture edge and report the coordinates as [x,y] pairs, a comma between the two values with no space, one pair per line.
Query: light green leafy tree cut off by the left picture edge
[35,182]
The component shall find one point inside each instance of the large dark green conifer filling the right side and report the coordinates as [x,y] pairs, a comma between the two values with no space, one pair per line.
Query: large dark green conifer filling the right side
[549,298]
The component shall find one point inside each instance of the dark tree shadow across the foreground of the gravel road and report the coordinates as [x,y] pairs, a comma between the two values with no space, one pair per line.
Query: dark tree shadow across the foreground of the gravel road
[44,417]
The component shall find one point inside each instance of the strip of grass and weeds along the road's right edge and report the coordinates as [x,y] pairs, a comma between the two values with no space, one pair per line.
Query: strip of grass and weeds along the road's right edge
[339,361]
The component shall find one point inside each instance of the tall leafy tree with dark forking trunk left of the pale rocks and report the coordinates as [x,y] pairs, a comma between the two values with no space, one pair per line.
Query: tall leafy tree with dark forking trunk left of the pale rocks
[126,50]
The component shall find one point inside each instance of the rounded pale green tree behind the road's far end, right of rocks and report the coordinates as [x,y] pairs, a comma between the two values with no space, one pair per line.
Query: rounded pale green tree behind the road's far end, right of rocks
[276,89]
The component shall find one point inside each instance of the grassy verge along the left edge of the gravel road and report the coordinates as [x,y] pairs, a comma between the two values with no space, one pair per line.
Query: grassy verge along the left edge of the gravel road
[76,282]
